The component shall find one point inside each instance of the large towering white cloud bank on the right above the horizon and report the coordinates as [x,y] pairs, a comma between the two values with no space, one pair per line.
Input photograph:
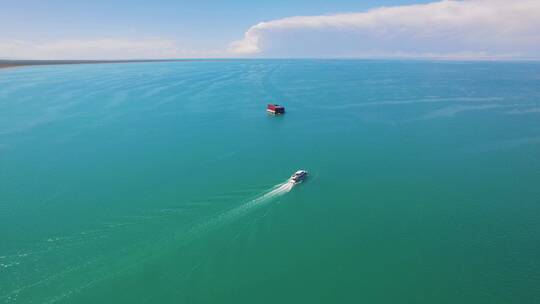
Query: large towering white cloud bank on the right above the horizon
[454,29]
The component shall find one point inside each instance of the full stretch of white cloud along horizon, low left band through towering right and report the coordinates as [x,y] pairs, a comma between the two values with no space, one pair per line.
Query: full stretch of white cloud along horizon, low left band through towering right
[470,29]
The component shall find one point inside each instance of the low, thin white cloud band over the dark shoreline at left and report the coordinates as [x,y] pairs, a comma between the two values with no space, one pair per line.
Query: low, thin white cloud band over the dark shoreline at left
[99,48]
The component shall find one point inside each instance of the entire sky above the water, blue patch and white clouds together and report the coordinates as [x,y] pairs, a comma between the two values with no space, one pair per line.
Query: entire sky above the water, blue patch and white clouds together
[162,29]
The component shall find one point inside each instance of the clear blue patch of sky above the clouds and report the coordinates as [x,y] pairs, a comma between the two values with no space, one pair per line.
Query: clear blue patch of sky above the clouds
[196,23]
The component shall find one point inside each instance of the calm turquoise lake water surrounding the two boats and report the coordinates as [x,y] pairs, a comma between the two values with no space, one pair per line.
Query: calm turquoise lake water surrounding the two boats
[161,182]
